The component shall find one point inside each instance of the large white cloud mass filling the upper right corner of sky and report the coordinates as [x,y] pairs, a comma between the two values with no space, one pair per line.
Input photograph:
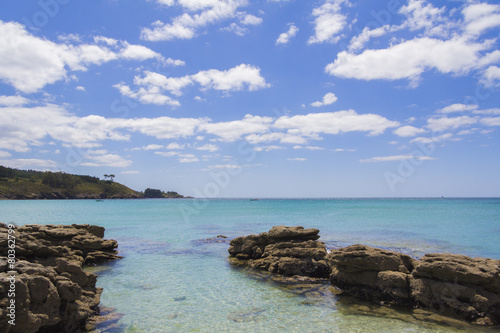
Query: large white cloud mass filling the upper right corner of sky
[445,43]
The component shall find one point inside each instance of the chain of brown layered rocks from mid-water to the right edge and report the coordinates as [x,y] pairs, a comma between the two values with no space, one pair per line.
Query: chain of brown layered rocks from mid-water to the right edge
[450,285]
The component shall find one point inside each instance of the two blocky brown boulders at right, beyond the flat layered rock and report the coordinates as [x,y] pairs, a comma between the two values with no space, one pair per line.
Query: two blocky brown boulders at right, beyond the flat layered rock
[447,284]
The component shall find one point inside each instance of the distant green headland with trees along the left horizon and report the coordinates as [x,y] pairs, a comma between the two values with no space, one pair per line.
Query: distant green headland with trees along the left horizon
[32,184]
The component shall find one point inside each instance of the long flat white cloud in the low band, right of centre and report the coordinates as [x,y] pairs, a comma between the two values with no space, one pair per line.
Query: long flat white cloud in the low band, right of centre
[335,123]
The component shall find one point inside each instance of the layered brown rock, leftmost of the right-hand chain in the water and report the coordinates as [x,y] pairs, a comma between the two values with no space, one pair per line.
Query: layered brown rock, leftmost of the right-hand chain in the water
[284,250]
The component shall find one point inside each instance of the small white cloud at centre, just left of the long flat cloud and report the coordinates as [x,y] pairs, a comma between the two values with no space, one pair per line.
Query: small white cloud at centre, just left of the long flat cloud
[234,130]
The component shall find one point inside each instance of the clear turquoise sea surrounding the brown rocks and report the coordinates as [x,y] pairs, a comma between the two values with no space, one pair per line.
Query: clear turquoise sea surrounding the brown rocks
[175,275]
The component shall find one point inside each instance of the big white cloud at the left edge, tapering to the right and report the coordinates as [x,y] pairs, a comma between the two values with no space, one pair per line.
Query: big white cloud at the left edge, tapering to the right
[29,63]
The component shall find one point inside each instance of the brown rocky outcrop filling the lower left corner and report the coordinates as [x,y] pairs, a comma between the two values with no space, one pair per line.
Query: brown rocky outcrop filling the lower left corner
[52,291]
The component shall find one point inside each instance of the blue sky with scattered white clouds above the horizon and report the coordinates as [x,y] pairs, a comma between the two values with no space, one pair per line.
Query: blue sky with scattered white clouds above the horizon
[269,98]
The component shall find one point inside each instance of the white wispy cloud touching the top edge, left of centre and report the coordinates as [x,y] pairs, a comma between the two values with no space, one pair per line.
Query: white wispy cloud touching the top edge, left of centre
[186,25]
